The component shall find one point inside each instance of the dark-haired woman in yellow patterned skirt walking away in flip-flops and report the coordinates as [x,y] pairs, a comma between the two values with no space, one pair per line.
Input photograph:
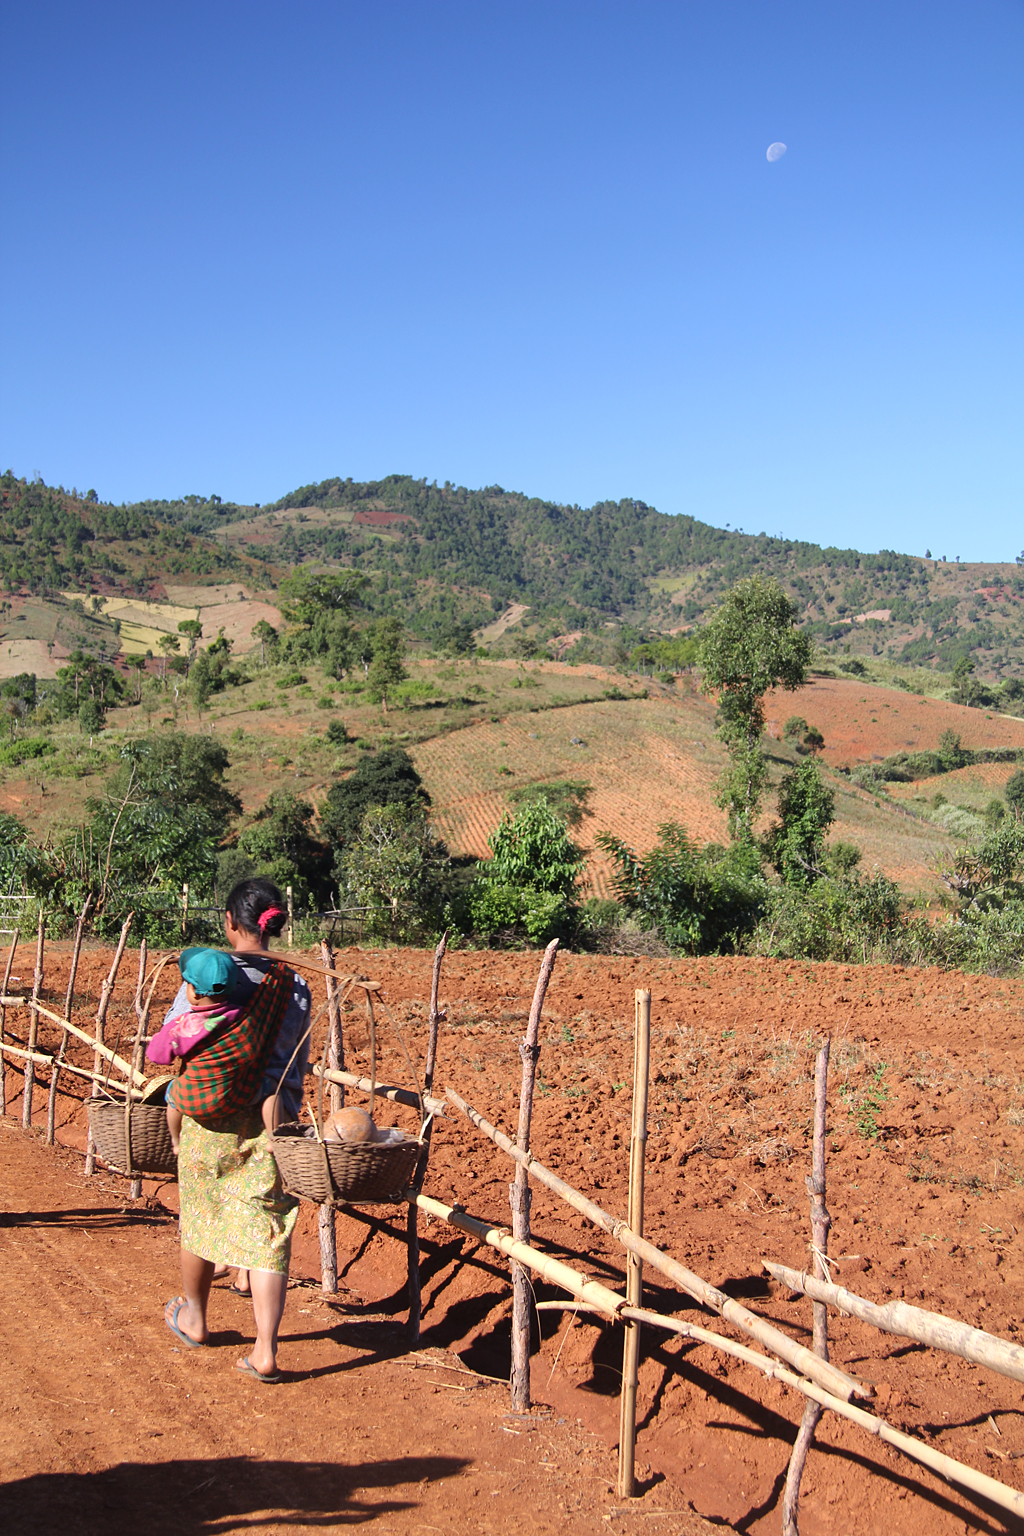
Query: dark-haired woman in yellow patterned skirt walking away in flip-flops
[234,1210]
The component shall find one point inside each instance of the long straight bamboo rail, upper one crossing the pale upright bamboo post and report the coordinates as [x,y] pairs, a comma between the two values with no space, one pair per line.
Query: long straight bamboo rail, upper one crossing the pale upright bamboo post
[767,1334]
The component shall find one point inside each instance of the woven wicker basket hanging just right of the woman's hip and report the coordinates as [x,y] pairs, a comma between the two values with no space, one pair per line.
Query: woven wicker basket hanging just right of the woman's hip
[343,1173]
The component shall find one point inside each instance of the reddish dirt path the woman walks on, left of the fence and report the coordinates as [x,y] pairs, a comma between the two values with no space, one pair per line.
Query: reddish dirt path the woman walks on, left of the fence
[110,1425]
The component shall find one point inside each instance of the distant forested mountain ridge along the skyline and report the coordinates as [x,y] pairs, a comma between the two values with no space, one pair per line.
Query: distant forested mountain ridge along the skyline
[444,555]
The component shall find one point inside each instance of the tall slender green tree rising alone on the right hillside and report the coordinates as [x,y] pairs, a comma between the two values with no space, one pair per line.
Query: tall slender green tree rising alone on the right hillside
[750,646]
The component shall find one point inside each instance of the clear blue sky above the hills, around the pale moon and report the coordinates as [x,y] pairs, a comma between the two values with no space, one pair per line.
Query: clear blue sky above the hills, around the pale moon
[249,247]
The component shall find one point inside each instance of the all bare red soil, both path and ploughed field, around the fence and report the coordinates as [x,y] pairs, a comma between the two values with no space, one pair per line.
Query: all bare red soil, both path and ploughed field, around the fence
[927,1167]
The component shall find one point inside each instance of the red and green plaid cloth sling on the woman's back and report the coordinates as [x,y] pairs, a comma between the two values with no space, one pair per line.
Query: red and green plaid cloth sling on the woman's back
[223,1076]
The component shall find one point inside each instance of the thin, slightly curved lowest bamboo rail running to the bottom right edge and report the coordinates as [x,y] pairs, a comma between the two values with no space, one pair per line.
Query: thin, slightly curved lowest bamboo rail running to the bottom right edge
[917,1451]
